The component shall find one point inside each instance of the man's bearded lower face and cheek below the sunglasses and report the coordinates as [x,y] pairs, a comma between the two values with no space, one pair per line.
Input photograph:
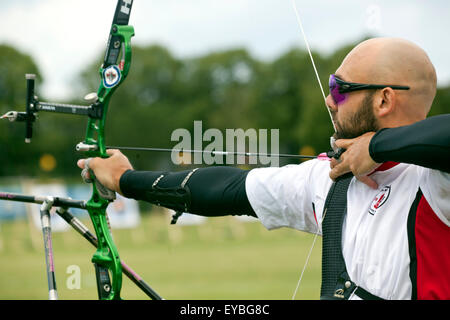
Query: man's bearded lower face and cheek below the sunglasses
[355,117]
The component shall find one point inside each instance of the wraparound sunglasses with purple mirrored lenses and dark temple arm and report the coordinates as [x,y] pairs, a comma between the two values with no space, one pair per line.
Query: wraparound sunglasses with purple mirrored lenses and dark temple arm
[339,89]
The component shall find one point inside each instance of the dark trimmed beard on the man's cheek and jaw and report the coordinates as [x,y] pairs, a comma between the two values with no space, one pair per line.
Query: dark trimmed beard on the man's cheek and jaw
[362,121]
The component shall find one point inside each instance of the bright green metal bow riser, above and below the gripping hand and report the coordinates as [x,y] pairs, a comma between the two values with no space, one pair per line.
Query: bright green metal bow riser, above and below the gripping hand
[106,259]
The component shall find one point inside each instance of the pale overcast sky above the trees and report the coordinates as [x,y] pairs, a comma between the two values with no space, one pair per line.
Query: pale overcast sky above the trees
[63,36]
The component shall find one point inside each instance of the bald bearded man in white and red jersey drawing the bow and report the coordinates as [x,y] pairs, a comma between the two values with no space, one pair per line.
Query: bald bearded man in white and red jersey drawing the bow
[394,234]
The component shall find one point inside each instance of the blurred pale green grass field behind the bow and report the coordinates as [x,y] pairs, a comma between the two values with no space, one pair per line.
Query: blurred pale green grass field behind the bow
[223,258]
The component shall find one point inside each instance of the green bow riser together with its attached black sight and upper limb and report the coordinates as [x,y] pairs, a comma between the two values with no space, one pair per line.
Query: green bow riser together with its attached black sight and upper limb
[113,72]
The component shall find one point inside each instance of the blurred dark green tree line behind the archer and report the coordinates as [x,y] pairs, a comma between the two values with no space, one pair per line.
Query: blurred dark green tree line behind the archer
[225,89]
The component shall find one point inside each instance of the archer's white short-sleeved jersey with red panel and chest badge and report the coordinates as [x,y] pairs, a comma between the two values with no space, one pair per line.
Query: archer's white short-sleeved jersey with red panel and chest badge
[395,240]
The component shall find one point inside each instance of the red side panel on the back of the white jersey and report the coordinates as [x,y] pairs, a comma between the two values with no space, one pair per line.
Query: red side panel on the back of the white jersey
[433,254]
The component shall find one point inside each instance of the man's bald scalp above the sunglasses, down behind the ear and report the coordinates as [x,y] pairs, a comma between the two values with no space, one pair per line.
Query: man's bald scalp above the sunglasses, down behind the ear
[397,62]
